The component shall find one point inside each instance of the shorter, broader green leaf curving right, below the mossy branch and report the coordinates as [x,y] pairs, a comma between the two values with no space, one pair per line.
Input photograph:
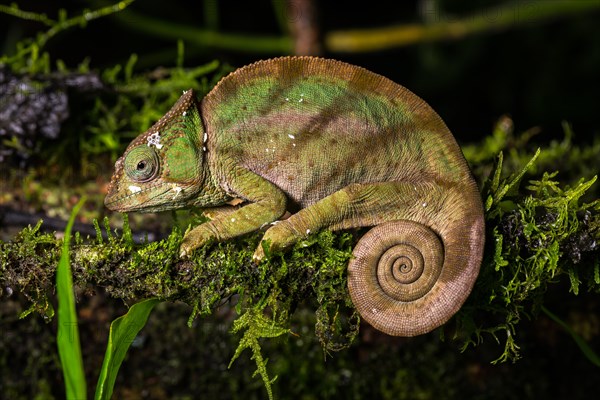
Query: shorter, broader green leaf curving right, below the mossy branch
[123,331]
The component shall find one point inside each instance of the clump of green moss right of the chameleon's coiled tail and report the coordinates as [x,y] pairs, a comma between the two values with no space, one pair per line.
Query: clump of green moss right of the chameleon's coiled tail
[536,236]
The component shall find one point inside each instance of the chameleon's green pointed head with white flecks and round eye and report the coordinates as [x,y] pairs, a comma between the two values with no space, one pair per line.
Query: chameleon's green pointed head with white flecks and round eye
[163,167]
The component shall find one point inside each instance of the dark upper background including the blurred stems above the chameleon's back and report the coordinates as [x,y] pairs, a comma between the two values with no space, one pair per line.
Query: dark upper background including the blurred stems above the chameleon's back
[537,60]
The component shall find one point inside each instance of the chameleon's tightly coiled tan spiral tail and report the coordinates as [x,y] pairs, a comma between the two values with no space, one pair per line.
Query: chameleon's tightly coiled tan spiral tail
[405,280]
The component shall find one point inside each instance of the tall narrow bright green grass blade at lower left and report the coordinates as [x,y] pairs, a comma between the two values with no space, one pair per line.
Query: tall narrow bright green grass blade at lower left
[69,349]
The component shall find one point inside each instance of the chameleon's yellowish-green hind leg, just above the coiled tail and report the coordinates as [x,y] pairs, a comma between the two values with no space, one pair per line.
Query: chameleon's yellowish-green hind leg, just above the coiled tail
[354,206]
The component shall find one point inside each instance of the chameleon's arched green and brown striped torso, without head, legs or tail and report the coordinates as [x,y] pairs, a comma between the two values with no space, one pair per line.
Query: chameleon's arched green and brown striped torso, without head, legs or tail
[312,126]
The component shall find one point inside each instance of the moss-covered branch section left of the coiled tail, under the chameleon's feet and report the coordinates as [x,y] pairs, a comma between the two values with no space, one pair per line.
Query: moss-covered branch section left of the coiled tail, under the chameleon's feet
[314,269]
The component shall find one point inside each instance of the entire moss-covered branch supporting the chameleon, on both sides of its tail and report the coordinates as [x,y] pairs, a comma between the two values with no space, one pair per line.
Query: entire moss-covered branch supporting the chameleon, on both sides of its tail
[536,236]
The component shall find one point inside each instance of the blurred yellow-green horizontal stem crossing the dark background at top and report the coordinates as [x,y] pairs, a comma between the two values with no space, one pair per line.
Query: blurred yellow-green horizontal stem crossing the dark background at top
[366,40]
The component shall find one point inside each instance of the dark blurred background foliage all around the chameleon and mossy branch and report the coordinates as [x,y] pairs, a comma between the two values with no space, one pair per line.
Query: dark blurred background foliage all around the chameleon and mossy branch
[84,78]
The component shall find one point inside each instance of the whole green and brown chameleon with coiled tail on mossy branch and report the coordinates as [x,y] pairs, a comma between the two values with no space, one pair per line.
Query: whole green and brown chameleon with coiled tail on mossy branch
[295,145]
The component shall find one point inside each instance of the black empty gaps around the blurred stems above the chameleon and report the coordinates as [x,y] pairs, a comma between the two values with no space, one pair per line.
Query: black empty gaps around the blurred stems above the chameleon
[540,73]
